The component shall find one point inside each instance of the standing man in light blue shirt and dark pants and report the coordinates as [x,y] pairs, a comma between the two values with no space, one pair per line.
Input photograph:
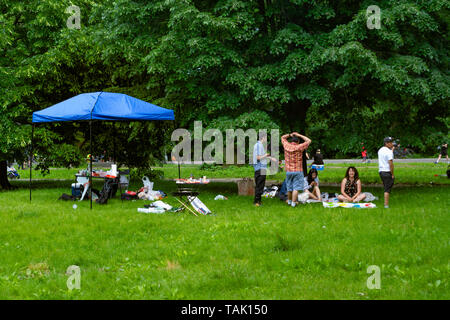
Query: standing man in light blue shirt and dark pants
[260,165]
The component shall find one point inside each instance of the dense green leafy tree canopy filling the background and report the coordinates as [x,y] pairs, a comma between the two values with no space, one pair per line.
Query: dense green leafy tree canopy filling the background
[310,66]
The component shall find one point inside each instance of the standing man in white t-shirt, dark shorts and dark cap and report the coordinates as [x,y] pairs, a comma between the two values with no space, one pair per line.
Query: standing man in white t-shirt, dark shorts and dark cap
[386,167]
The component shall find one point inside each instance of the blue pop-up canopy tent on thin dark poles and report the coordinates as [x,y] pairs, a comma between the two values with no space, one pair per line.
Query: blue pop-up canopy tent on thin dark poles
[100,106]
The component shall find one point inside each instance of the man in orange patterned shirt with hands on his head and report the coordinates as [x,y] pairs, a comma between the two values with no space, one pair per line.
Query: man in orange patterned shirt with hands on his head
[293,164]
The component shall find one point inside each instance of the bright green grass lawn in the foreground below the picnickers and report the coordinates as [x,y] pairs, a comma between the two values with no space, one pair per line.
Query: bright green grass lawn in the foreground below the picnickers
[240,252]
